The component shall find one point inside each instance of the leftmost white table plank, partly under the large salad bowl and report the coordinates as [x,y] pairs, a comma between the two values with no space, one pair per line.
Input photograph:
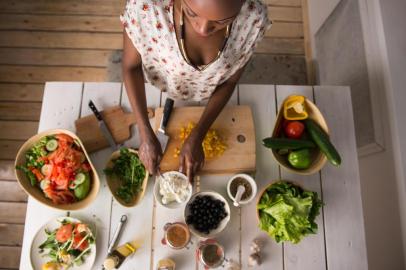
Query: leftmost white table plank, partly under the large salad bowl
[54,115]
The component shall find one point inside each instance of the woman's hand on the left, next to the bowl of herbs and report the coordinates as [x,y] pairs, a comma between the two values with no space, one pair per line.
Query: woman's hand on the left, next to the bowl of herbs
[150,152]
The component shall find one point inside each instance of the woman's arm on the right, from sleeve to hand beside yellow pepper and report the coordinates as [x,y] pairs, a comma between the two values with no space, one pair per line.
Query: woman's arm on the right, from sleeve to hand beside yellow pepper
[192,156]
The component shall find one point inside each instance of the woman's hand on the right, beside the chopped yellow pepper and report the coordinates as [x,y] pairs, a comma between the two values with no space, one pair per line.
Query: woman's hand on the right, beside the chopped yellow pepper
[191,156]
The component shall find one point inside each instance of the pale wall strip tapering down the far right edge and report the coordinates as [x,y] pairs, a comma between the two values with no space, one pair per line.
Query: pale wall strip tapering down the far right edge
[393,43]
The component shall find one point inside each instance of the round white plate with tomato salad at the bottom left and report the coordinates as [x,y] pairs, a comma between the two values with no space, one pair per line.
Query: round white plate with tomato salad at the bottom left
[63,243]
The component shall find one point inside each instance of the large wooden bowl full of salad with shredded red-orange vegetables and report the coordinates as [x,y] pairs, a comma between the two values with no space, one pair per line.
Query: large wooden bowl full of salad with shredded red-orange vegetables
[54,168]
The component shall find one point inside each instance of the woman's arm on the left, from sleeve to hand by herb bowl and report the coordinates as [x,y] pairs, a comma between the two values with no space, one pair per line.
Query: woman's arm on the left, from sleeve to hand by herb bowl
[150,150]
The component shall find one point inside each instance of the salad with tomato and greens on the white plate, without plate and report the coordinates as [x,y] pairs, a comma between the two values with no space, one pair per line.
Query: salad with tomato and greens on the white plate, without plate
[67,245]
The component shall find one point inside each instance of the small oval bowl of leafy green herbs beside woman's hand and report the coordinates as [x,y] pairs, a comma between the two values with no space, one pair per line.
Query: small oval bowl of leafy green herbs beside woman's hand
[126,177]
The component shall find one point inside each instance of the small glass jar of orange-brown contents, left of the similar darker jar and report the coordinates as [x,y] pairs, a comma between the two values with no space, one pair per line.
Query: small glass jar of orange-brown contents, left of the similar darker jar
[176,235]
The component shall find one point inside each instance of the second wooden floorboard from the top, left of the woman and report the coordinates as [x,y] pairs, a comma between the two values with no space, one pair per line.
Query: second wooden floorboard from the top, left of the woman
[76,23]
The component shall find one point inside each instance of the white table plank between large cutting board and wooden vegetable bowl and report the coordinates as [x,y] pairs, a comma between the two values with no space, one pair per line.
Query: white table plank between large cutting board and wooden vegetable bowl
[261,98]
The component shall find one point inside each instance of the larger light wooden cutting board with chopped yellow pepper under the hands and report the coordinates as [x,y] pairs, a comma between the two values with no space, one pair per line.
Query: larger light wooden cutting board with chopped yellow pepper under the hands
[235,125]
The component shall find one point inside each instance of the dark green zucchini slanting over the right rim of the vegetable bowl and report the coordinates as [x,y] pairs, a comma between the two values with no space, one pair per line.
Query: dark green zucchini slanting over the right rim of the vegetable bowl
[323,142]
